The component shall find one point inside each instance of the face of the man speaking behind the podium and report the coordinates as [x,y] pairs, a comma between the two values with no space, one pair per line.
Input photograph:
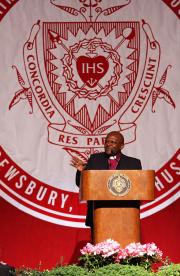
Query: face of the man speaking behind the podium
[113,144]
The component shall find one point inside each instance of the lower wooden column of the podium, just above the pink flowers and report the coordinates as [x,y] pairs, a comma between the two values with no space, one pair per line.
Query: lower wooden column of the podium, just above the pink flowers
[120,224]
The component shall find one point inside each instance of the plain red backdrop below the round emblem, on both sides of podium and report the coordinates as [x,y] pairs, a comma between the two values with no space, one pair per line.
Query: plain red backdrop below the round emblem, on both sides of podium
[30,241]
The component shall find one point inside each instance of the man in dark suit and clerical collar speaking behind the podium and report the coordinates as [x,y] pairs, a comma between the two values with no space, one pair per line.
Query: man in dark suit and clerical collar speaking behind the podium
[112,159]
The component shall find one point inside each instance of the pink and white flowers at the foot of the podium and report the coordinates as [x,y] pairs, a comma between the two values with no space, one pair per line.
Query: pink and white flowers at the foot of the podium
[110,251]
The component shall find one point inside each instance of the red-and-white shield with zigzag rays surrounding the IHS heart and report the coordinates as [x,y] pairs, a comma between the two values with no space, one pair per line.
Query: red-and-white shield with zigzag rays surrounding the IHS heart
[123,40]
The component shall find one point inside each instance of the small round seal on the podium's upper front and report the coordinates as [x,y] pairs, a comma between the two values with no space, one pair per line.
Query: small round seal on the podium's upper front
[119,184]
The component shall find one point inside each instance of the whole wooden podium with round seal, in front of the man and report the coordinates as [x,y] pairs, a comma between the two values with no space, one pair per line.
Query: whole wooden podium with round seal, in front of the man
[116,195]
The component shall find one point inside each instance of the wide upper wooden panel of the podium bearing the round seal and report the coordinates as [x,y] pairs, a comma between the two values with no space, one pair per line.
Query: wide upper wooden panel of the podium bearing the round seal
[96,185]
